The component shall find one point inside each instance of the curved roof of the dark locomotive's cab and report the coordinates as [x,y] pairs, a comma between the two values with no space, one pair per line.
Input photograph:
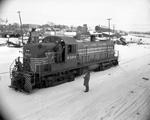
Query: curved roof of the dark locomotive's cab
[57,39]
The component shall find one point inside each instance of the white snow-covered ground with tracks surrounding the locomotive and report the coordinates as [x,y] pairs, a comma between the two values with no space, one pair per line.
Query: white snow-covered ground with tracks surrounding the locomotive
[119,93]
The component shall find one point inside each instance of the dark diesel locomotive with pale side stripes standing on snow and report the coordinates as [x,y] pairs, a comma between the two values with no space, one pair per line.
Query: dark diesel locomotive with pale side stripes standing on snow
[57,59]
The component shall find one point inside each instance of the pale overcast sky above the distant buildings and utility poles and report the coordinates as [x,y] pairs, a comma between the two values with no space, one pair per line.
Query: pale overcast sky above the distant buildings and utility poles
[125,14]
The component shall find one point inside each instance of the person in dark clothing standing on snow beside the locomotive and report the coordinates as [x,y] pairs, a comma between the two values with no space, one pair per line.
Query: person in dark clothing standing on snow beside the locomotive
[86,81]
